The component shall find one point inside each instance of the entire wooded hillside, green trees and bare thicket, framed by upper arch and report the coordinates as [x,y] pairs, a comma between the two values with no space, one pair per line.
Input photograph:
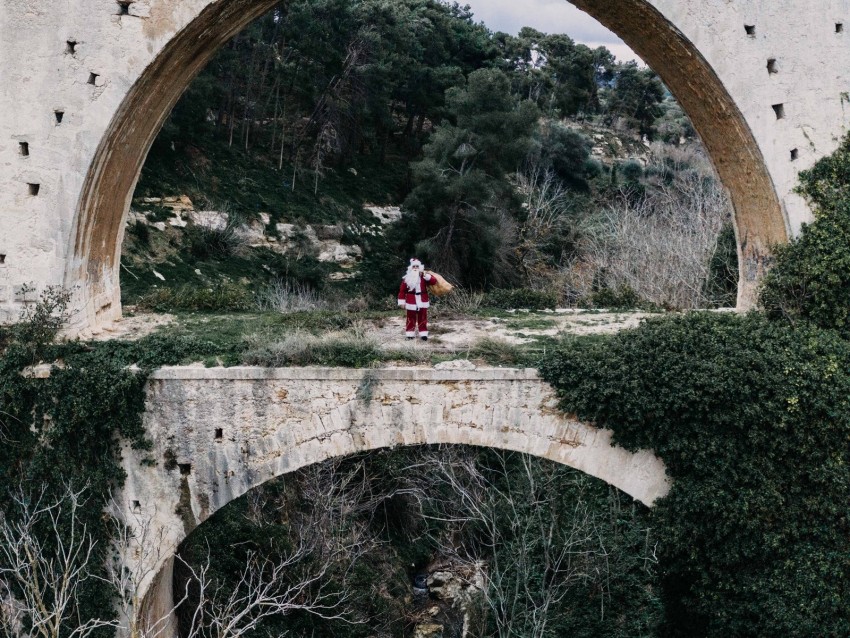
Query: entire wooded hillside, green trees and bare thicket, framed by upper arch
[518,161]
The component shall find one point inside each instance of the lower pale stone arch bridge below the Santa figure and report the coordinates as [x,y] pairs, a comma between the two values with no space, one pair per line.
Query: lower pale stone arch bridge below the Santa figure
[219,432]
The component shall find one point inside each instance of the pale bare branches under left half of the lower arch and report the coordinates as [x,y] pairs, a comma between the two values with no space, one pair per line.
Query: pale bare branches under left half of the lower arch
[312,578]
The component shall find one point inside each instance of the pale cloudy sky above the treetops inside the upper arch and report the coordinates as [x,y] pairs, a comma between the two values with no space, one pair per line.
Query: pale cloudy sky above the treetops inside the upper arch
[548,16]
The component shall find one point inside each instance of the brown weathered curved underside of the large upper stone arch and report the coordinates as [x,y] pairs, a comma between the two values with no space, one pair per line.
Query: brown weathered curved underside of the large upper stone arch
[94,257]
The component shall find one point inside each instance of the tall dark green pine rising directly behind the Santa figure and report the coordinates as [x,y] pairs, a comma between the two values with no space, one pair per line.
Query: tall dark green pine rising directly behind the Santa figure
[461,184]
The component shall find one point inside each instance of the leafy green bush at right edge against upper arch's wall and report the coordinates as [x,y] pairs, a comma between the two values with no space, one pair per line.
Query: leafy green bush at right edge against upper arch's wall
[810,280]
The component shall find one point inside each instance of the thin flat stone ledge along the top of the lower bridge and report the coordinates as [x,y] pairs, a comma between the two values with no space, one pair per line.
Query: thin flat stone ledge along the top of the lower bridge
[256,373]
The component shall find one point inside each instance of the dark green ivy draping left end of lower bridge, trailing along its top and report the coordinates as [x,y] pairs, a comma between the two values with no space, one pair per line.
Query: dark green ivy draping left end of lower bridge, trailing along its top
[63,431]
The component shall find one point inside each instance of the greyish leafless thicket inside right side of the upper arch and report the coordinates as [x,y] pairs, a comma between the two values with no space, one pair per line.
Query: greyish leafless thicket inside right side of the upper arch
[661,243]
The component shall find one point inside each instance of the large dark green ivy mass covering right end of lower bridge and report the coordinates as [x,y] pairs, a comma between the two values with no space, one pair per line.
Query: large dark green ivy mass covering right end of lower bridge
[751,418]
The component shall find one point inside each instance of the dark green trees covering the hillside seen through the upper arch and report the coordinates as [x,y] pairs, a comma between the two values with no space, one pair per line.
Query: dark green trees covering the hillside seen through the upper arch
[324,105]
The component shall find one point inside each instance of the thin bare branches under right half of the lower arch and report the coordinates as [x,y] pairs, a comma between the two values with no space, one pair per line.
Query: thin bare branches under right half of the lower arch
[532,558]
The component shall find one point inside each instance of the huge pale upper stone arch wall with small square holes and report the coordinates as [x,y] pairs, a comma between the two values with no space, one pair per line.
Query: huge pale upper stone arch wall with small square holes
[87,85]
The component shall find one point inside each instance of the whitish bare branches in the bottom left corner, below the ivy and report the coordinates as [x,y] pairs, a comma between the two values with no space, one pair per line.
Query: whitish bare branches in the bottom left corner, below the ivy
[45,562]
